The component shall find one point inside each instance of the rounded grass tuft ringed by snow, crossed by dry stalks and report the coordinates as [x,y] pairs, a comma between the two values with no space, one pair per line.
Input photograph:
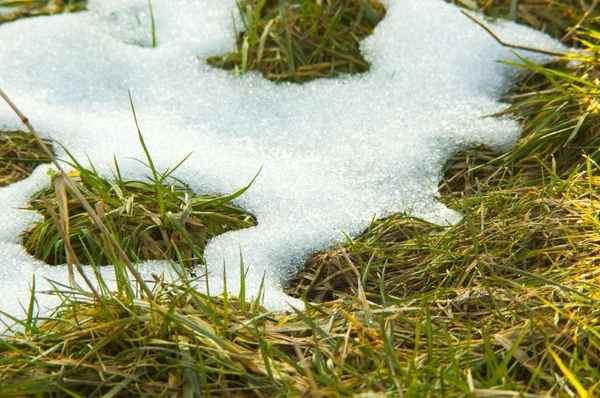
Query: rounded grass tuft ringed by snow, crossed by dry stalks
[145,228]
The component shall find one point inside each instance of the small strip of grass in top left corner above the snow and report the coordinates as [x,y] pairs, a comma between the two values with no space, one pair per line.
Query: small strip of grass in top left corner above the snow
[34,8]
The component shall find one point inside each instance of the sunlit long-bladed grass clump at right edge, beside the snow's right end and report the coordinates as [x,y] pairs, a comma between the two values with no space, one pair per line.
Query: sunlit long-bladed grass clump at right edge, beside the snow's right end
[561,106]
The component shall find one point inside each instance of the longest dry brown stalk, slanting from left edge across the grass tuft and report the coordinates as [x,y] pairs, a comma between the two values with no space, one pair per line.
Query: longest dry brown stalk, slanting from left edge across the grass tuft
[75,191]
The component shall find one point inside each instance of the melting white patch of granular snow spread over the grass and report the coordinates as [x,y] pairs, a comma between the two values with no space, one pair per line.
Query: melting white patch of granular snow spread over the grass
[334,153]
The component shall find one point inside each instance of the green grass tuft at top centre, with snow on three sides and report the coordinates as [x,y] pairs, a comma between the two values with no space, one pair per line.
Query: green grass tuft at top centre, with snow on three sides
[298,41]
